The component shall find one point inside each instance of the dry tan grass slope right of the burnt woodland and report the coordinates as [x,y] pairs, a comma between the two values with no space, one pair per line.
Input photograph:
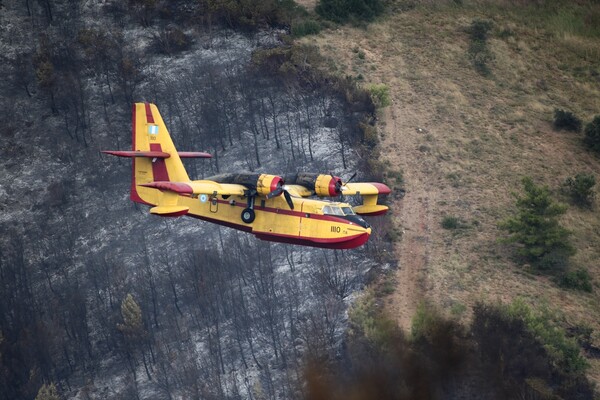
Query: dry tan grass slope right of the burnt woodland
[479,136]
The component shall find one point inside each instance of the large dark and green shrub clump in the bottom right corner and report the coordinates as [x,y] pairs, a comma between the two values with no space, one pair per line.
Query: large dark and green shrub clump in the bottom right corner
[529,352]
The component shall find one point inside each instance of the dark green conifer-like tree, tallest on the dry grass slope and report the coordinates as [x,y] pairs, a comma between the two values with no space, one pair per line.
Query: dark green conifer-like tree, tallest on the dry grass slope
[543,241]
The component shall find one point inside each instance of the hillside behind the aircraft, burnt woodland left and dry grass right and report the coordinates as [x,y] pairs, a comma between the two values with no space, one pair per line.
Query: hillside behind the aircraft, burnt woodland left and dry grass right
[103,300]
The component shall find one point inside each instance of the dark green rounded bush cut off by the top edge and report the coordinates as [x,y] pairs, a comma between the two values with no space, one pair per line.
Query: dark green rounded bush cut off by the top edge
[344,10]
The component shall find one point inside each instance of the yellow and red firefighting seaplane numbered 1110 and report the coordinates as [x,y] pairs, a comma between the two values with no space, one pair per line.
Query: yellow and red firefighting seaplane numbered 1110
[269,206]
